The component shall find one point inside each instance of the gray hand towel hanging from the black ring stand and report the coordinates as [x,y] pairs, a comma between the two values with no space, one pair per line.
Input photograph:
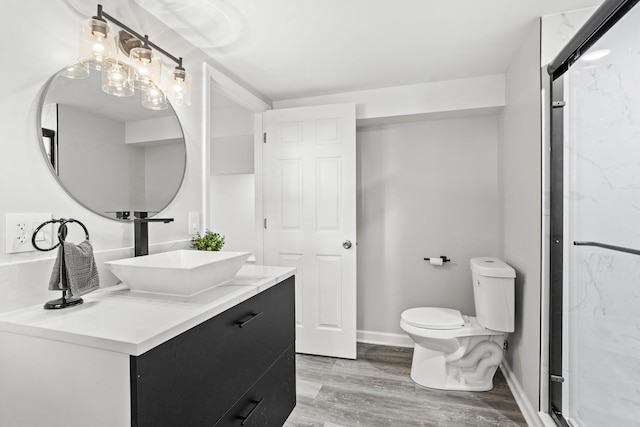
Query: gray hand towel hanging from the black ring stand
[82,273]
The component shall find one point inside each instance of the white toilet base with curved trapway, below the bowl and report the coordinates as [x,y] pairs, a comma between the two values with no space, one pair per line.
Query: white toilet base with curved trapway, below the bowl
[472,372]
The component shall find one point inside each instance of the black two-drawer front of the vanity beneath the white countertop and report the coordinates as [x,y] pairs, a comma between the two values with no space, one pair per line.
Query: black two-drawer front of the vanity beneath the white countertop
[237,368]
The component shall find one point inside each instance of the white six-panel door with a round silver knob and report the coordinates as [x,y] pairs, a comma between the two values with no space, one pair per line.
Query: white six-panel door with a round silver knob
[310,212]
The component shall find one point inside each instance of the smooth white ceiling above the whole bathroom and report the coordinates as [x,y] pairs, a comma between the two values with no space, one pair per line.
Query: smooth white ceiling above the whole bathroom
[297,48]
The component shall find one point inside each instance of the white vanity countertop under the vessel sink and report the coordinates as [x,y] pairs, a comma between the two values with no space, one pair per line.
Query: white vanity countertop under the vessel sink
[120,320]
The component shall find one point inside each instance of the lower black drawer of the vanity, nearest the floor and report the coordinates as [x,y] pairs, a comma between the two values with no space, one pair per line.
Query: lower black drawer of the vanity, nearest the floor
[270,400]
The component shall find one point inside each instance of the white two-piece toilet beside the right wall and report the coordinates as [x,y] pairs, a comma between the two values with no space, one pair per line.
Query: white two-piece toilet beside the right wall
[457,352]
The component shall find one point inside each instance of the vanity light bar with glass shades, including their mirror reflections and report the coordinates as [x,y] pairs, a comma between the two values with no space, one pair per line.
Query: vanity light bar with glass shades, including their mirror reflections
[140,69]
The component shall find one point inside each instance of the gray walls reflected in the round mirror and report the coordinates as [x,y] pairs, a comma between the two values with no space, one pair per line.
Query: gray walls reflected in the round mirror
[90,163]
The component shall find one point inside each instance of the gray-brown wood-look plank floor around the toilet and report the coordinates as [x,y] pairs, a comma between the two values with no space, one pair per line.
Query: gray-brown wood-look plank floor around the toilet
[376,390]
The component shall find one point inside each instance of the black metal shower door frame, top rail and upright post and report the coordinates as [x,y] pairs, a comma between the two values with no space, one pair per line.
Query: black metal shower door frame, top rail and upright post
[603,19]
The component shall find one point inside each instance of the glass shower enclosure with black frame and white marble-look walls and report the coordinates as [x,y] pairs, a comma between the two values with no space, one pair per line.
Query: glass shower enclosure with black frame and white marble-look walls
[595,225]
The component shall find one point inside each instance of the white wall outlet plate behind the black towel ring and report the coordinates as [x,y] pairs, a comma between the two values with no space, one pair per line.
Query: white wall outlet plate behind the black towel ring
[19,229]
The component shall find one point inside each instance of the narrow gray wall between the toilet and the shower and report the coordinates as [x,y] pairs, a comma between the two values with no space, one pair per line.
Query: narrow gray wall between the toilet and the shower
[520,187]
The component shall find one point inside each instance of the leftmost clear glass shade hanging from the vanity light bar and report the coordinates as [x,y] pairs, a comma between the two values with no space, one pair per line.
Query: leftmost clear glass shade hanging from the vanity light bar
[96,44]
